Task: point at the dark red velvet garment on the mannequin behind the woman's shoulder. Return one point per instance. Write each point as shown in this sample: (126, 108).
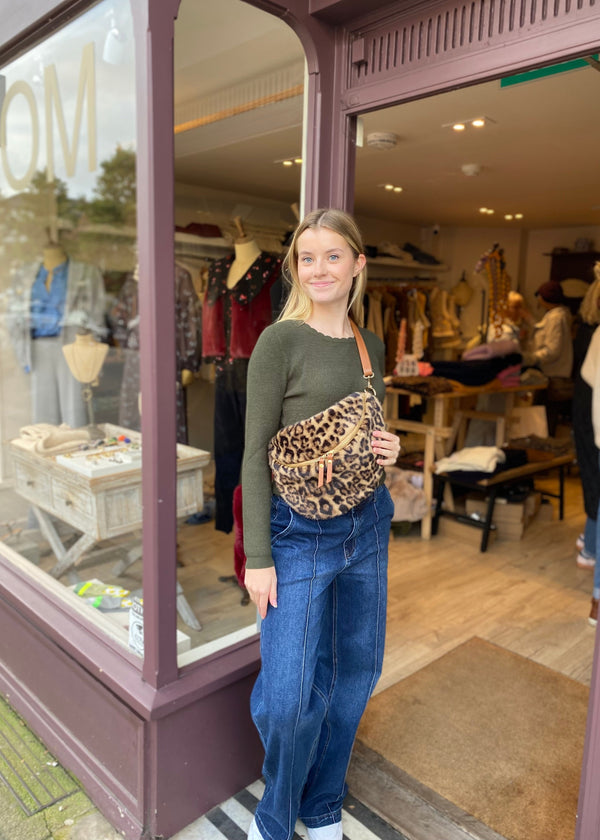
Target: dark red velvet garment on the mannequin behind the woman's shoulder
(239, 314)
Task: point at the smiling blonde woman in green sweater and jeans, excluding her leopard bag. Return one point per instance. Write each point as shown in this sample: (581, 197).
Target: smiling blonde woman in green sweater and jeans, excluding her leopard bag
(319, 585)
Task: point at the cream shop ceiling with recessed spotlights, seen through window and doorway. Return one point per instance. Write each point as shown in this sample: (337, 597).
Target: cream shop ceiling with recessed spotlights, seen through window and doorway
(538, 156)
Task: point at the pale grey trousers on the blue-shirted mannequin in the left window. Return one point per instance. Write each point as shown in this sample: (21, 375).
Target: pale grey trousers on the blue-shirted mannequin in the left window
(56, 396)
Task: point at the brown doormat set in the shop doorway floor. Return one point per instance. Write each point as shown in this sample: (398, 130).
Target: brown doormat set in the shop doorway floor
(494, 733)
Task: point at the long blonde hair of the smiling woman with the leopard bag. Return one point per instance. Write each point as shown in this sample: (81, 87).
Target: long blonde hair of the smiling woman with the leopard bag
(299, 305)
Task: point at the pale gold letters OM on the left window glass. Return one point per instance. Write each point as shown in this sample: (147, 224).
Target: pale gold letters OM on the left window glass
(86, 89)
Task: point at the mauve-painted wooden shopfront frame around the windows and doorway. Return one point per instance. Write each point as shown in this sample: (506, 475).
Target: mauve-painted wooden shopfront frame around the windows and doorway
(156, 744)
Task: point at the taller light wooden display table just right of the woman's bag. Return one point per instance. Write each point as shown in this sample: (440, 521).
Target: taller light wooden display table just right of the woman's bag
(441, 435)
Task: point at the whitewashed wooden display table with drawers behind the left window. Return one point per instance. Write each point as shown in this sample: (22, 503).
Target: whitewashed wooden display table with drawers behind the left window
(101, 506)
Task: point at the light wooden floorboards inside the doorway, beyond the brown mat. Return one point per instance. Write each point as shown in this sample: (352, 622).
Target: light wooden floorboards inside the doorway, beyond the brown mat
(527, 596)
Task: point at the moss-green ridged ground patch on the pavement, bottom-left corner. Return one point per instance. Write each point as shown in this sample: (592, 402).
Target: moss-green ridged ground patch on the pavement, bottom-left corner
(27, 769)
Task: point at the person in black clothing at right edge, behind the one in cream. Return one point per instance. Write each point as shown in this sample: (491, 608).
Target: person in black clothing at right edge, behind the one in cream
(583, 429)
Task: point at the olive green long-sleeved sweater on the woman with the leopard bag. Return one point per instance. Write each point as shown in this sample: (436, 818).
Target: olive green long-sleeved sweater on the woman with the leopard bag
(294, 372)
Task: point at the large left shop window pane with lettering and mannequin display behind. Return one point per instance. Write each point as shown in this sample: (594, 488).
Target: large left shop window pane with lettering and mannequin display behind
(70, 466)
